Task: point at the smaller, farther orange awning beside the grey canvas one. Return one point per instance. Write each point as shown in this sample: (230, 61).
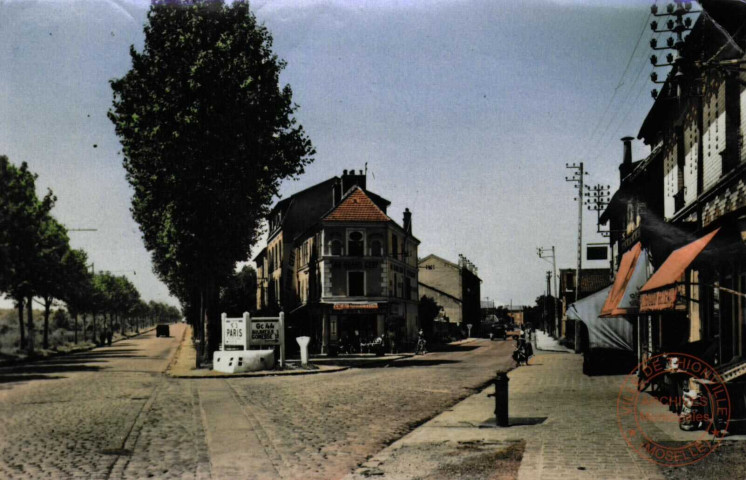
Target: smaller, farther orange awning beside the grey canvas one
(631, 276)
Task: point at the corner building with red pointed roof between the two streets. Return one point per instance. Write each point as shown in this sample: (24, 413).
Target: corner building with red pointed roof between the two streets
(349, 272)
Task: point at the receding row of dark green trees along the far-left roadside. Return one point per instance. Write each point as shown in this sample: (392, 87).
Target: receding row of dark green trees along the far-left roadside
(37, 262)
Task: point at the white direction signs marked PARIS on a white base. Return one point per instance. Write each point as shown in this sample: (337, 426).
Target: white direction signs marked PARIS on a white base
(241, 338)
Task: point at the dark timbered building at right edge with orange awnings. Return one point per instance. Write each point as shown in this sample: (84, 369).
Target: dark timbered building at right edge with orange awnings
(693, 188)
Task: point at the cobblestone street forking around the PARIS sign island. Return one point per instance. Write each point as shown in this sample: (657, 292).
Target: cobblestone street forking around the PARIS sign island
(111, 413)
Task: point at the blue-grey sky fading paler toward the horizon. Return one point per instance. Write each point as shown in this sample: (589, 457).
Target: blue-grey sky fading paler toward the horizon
(465, 111)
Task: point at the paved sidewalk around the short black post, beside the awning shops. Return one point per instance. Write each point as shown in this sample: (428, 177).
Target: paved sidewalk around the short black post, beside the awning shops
(565, 423)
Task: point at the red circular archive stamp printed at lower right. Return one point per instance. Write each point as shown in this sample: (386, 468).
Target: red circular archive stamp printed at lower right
(673, 409)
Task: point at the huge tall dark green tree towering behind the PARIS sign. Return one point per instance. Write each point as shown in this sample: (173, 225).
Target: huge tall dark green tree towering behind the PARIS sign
(207, 136)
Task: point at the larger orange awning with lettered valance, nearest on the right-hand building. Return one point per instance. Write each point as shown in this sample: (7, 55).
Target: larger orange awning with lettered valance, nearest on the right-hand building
(662, 290)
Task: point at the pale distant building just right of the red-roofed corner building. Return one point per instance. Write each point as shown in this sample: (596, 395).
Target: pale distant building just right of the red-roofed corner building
(454, 286)
